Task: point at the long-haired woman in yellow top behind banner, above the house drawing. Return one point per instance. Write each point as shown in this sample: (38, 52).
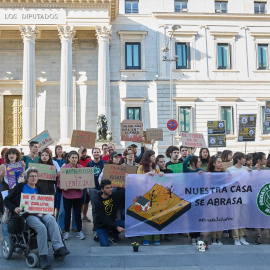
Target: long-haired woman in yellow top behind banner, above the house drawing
(148, 166)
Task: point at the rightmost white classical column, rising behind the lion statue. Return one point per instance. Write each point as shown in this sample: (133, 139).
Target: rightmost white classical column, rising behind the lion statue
(104, 34)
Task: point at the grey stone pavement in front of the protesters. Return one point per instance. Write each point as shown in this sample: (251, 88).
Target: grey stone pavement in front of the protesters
(178, 254)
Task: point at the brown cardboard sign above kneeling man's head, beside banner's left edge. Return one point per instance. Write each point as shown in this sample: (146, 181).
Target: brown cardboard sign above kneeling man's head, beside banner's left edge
(117, 173)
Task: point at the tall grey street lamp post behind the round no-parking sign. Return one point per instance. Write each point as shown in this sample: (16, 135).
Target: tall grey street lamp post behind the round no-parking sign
(171, 60)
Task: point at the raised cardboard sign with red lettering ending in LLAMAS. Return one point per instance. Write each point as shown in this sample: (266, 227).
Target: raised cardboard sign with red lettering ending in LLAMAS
(131, 130)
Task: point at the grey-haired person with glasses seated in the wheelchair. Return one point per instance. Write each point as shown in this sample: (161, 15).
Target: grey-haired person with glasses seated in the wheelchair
(39, 223)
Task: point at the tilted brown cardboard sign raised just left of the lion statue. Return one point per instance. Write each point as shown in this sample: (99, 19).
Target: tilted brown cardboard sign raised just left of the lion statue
(83, 138)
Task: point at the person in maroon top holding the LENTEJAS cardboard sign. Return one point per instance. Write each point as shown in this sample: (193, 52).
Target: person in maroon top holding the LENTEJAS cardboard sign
(72, 198)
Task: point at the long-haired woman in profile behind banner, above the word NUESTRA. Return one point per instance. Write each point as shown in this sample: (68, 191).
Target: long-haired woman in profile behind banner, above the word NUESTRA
(215, 165)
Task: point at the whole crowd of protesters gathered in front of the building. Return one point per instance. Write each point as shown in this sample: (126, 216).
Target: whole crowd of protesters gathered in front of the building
(107, 202)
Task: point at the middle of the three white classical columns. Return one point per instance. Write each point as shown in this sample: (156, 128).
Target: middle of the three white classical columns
(66, 33)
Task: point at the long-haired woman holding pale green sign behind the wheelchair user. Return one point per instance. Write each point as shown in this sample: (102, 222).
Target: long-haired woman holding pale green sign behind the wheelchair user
(48, 186)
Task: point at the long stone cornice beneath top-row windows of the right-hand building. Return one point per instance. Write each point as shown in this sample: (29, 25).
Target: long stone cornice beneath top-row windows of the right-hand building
(214, 16)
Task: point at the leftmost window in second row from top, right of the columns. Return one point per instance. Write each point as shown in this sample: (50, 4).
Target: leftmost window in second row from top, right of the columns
(133, 55)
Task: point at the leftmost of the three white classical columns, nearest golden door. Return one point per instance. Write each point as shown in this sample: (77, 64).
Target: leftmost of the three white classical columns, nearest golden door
(28, 33)
